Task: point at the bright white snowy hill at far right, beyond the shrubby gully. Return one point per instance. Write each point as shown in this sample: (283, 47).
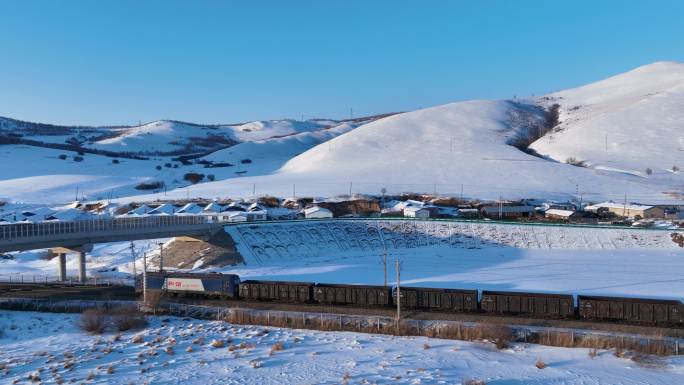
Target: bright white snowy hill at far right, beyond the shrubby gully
(629, 123)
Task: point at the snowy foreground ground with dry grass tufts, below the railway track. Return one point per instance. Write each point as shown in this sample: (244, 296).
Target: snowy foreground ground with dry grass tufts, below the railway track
(51, 347)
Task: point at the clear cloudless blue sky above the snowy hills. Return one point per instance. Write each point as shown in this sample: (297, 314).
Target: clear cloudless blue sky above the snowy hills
(117, 62)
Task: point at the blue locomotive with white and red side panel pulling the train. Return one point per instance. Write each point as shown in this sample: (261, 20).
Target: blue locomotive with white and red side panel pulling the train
(204, 284)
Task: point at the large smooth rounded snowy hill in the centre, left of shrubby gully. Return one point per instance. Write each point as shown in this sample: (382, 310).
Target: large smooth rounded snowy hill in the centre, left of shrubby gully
(452, 149)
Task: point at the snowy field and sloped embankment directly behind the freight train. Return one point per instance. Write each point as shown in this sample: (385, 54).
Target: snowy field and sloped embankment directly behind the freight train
(466, 255)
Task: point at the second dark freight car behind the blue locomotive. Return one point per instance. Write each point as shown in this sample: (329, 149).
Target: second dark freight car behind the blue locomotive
(358, 295)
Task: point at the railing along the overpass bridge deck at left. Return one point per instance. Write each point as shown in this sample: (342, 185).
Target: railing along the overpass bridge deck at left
(43, 229)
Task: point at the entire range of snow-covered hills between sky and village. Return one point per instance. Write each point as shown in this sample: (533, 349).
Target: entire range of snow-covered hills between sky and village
(627, 130)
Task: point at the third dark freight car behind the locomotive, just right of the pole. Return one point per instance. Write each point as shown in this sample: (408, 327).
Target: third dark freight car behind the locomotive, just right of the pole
(425, 298)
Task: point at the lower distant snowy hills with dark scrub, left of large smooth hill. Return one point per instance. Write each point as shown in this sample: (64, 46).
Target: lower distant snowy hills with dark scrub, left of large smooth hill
(44, 175)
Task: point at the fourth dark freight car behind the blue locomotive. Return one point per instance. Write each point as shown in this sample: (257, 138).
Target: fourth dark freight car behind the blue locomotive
(538, 304)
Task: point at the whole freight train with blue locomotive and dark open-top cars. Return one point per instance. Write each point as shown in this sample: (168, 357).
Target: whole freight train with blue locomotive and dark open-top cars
(538, 305)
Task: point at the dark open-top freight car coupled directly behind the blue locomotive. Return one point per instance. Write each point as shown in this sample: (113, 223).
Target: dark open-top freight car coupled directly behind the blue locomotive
(295, 292)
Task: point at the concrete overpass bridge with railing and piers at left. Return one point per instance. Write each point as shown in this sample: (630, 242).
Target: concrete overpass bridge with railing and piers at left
(79, 236)
